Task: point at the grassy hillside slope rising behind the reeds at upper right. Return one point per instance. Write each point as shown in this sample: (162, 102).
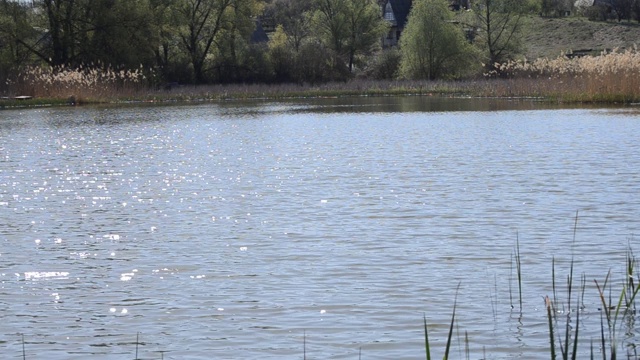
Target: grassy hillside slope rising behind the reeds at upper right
(548, 37)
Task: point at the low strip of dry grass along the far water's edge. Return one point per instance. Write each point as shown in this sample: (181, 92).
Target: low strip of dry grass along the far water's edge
(515, 88)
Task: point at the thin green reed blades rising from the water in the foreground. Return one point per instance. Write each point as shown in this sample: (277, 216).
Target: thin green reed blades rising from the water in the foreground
(564, 318)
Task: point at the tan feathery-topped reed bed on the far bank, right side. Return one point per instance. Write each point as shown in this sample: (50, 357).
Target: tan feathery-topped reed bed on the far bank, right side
(611, 77)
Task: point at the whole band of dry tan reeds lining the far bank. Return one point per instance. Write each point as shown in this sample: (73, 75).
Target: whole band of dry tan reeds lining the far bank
(610, 77)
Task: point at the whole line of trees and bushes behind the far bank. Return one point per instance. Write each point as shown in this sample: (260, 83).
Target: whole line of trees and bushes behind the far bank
(210, 41)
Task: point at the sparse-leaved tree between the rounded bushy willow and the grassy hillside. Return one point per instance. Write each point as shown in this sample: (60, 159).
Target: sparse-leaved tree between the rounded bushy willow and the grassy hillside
(499, 24)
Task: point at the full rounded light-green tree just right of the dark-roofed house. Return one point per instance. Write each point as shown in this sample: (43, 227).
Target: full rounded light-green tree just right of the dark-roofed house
(431, 45)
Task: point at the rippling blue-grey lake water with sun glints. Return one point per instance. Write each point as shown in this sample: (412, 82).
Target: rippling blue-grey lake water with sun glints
(318, 229)
